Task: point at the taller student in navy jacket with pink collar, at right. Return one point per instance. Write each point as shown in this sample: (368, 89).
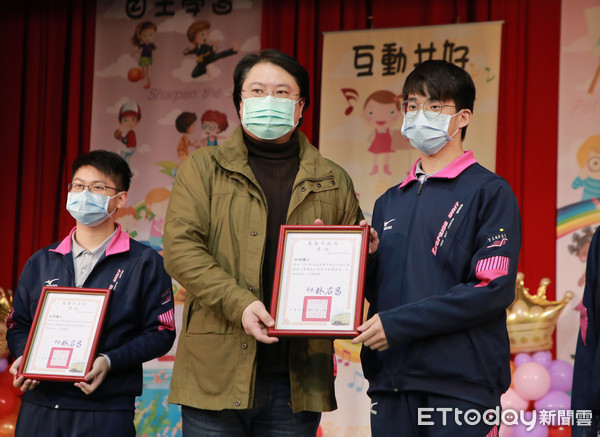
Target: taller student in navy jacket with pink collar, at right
(435, 344)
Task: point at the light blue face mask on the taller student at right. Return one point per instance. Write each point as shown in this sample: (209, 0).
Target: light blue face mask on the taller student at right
(427, 135)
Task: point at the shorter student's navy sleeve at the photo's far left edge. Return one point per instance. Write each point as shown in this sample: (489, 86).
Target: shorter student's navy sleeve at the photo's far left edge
(20, 319)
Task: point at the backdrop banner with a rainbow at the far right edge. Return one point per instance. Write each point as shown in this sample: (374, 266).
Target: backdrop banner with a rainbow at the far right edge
(578, 183)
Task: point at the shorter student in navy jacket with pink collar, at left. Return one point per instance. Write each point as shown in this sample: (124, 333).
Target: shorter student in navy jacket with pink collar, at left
(139, 324)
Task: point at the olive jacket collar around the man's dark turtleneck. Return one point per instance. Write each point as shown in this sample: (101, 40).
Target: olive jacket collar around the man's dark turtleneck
(233, 155)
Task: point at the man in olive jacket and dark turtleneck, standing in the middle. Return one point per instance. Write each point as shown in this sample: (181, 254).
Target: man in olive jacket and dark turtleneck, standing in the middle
(221, 236)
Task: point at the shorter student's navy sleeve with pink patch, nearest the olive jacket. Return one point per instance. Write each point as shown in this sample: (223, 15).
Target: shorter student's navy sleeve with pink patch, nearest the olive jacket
(156, 311)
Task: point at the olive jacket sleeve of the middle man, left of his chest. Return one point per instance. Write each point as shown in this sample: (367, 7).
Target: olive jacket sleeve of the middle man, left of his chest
(186, 236)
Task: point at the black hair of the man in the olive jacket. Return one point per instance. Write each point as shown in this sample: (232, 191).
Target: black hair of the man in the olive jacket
(276, 57)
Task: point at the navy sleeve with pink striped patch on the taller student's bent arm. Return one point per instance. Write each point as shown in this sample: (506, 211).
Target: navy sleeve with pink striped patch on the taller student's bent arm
(486, 290)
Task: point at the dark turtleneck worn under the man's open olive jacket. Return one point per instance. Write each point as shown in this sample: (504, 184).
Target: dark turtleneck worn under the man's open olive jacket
(275, 167)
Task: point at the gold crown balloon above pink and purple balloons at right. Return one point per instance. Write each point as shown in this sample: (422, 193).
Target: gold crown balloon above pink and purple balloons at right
(531, 318)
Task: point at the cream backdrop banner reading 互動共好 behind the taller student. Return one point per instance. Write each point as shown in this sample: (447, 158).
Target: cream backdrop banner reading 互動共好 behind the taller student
(363, 74)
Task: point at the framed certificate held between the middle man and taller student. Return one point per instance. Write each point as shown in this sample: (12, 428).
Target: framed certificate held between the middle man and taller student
(319, 281)
